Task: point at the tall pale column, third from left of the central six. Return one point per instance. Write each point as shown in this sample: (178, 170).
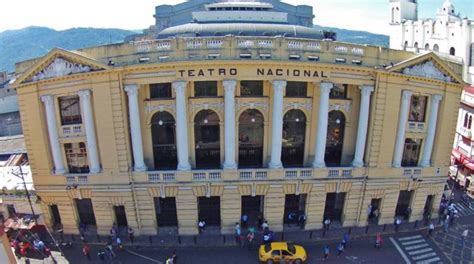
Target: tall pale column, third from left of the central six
(229, 124)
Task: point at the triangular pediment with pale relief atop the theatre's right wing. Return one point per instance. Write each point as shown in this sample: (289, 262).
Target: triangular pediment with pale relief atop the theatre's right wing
(427, 66)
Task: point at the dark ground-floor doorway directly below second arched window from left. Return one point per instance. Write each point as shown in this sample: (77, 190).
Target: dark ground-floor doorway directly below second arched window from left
(209, 210)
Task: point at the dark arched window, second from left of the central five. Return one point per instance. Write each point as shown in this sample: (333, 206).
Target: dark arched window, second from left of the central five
(206, 139)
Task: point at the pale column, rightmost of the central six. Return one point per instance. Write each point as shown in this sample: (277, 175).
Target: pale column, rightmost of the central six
(365, 92)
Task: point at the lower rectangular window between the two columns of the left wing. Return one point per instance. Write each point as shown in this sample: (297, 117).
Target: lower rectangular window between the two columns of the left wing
(76, 156)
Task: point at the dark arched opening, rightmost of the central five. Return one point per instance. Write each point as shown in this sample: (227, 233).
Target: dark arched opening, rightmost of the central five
(335, 138)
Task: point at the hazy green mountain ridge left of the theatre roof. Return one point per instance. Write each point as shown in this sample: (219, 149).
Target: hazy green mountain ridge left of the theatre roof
(32, 42)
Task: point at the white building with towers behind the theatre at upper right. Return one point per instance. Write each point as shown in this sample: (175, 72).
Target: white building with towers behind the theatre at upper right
(448, 34)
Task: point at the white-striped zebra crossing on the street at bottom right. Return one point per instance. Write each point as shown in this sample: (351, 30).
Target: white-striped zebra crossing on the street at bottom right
(418, 250)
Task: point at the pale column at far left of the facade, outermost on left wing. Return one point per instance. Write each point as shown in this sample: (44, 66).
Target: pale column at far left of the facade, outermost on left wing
(48, 101)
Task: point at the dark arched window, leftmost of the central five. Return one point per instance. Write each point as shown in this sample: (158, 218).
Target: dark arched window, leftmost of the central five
(163, 137)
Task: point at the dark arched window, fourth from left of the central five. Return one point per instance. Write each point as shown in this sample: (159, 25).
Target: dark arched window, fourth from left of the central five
(294, 130)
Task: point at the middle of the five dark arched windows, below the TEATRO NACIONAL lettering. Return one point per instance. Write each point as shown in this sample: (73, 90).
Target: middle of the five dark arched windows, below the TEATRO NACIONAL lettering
(251, 139)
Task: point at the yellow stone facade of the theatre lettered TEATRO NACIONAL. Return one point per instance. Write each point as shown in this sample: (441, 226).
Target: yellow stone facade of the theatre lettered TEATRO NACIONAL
(113, 67)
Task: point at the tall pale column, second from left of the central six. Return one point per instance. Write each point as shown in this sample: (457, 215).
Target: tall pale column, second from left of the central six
(181, 125)
